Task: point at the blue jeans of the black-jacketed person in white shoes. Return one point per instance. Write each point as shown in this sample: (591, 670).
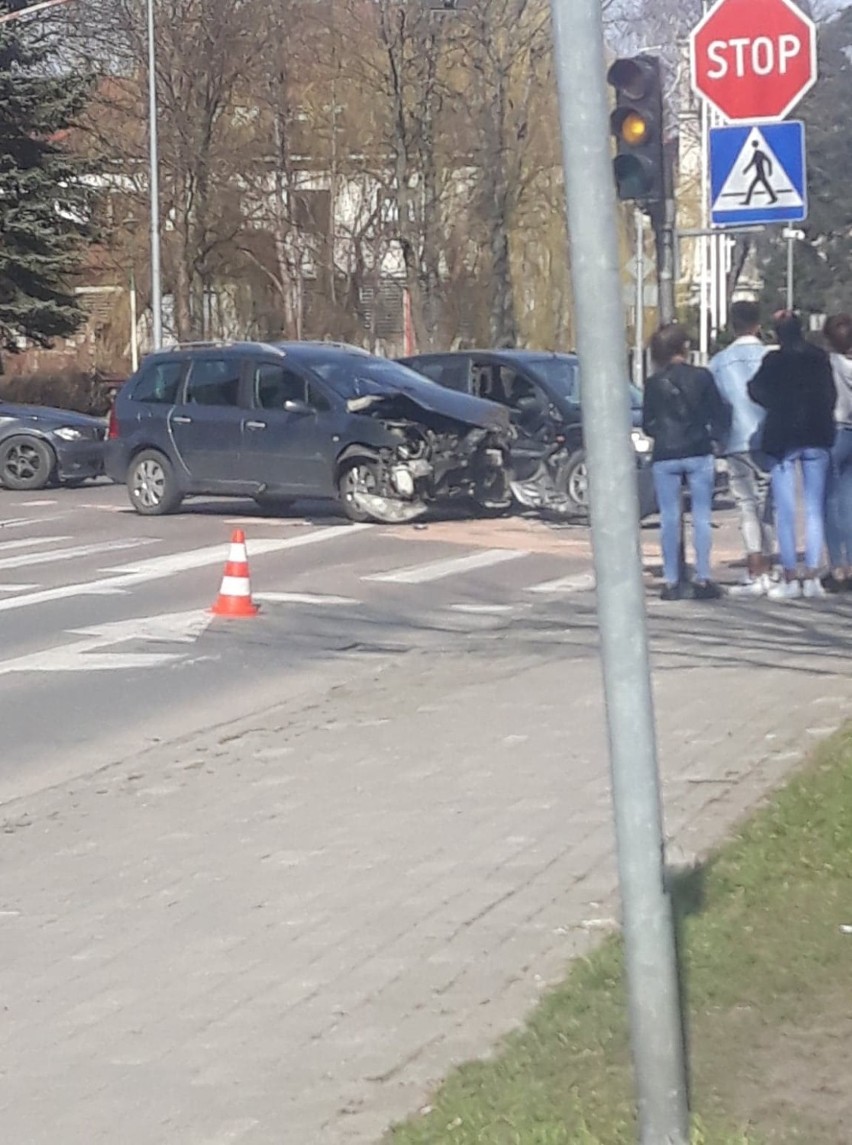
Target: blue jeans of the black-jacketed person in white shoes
(815, 471)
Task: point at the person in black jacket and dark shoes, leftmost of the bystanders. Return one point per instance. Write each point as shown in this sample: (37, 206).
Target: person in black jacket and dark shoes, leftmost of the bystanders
(688, 418)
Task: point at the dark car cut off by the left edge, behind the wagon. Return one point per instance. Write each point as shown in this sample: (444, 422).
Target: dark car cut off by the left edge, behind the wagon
(41, 447)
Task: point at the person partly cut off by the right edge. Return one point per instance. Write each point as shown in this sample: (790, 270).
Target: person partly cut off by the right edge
(839, 499)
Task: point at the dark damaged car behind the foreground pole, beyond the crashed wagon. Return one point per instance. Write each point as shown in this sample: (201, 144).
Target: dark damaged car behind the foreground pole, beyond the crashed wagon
(542, 392)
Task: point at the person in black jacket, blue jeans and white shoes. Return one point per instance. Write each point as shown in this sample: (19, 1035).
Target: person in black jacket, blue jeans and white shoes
(796, 388)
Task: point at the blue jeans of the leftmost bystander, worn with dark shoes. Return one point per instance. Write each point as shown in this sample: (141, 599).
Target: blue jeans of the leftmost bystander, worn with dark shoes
(700, 473)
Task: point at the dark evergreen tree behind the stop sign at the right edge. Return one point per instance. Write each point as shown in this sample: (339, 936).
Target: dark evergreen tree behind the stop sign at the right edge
(824, 262)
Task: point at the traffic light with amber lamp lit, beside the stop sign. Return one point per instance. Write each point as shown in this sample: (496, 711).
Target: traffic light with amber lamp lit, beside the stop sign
(637, 124)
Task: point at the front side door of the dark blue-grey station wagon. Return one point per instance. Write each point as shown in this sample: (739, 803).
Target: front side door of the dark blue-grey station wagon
(289, 432)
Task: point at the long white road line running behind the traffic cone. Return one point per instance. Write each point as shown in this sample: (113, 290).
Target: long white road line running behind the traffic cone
(157, 568)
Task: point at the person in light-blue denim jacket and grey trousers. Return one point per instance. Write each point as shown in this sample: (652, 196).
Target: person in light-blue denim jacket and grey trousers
(748, 467)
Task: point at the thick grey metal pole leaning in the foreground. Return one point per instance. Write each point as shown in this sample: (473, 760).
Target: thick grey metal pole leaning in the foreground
(649, 929)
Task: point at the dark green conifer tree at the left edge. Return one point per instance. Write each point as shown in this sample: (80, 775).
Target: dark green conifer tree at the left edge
(45, 204)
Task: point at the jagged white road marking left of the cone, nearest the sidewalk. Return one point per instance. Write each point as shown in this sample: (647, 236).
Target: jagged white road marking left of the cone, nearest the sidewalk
(86, 656)
